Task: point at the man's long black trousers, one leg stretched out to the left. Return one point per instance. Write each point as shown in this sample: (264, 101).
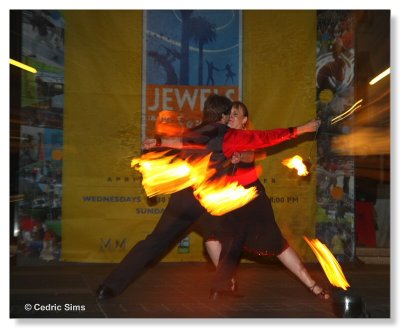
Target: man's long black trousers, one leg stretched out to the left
(182, 211)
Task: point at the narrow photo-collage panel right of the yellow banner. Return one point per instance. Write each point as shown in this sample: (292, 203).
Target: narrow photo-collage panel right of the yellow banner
(335, 95)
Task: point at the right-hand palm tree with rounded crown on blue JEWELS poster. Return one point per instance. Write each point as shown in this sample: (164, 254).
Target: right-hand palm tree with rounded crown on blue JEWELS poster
(203, 32)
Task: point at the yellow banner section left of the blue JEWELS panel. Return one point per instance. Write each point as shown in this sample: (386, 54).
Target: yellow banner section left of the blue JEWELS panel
(105, 210)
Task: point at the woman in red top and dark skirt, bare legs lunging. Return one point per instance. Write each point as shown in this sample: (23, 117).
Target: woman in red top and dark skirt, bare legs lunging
(253, 226)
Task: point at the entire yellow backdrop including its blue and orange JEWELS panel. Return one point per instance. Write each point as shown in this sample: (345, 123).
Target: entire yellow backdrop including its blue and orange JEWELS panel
(109, 94)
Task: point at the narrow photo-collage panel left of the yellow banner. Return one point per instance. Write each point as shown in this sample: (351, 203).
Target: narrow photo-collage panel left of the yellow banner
(38, 213)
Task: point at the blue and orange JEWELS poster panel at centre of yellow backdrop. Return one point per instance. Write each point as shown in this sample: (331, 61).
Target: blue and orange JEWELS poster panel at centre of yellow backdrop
(188, 55)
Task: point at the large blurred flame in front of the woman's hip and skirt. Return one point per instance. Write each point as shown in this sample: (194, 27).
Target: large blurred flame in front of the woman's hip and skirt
(219, 198)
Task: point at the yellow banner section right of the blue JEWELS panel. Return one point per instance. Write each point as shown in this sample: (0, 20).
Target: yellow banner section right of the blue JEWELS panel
(279, 90)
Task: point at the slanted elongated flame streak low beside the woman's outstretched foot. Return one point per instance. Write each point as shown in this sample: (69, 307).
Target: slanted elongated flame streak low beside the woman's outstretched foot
(329, 263)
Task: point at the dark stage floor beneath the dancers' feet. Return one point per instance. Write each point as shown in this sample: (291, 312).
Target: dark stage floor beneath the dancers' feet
(180, 290)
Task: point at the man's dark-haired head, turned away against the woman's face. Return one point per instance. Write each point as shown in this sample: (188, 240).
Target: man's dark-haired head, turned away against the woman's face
(216, 108)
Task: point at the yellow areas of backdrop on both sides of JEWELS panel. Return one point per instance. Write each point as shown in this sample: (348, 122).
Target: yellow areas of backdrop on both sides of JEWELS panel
(105, 211)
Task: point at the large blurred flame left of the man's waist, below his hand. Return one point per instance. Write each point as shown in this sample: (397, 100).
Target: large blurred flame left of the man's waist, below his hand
(168, 174)
